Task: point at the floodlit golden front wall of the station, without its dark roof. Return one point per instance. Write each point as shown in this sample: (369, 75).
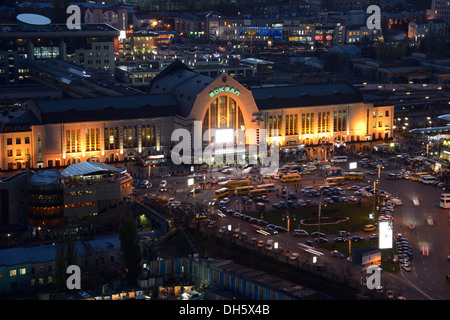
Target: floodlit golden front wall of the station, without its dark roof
(62, 144)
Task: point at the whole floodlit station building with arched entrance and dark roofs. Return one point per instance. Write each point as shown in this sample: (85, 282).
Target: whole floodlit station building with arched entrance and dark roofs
(55, 133)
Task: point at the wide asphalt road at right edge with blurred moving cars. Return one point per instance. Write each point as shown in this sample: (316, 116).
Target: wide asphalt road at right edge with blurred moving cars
(430, 244)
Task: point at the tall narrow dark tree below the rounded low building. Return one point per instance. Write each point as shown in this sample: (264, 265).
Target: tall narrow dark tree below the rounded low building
(129, 246)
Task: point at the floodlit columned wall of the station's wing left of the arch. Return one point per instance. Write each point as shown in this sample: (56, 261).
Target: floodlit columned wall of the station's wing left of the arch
(69, 143)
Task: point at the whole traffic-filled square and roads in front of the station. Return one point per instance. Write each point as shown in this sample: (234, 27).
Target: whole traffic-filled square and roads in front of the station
(319, 213)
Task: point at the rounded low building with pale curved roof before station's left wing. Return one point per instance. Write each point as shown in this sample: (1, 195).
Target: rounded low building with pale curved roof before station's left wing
(81, 190)
